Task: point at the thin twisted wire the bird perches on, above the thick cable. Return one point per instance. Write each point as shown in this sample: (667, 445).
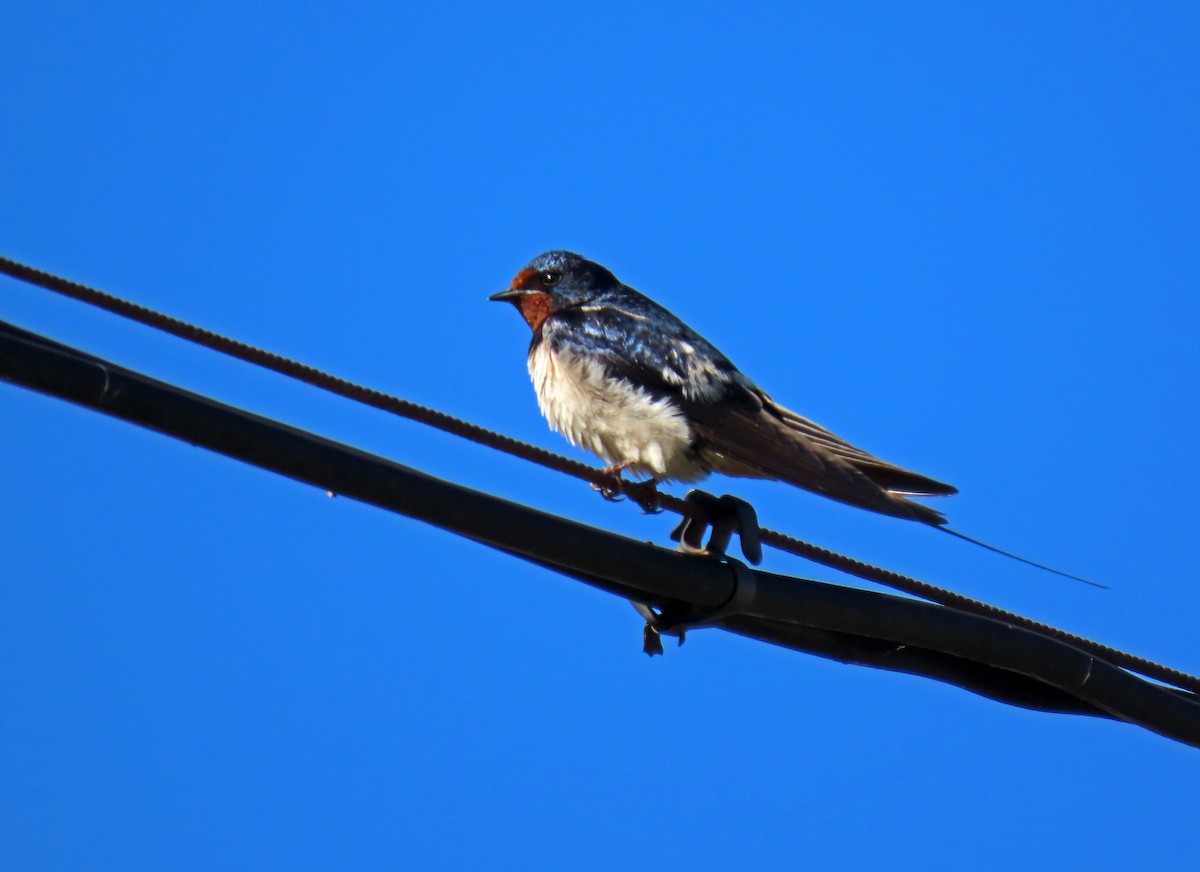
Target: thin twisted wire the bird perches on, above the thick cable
(599, 478)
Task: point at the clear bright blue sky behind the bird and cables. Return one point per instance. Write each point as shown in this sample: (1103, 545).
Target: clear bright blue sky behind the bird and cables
(962, 236)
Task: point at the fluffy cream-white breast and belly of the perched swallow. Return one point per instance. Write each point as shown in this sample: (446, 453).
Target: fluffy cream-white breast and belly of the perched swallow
(611, 418)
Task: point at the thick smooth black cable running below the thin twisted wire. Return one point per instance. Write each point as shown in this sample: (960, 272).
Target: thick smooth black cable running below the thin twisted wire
(986, 657)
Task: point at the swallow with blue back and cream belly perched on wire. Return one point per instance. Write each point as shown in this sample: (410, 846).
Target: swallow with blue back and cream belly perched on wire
(622, 377)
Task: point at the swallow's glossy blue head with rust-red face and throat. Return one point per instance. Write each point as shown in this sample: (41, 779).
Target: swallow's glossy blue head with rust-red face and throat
(555, 281)
